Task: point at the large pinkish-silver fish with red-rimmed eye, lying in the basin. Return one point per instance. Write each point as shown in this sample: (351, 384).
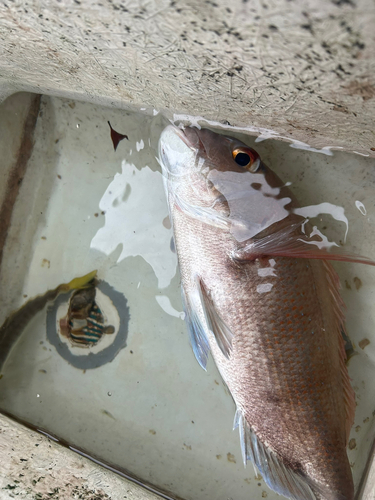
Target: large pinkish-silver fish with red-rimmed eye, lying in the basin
(260, 294)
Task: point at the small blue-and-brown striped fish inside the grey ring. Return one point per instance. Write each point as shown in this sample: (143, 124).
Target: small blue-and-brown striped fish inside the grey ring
(84, 323)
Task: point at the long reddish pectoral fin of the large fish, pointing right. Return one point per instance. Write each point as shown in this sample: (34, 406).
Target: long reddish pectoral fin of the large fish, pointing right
(290, 241)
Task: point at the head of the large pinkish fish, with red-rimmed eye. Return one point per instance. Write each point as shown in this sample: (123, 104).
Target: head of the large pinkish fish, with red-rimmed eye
(225, 177)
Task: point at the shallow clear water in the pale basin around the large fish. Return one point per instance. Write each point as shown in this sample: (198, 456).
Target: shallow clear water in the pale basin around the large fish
(139, 399)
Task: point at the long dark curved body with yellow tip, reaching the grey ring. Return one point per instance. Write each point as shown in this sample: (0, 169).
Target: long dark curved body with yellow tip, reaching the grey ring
(16, 322)
